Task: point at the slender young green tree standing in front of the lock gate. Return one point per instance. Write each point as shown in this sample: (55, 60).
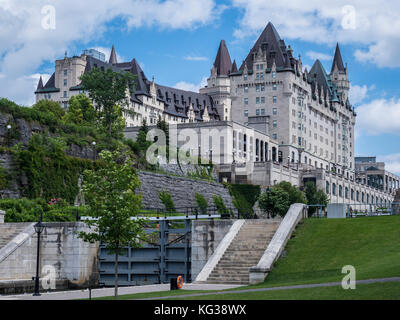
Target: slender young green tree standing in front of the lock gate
(110, 196)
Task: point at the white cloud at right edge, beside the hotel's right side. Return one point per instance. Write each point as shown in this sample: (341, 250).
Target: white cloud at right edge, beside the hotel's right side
(379, 117)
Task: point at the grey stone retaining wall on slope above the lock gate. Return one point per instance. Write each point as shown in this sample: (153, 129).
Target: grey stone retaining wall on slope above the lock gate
(182, 190)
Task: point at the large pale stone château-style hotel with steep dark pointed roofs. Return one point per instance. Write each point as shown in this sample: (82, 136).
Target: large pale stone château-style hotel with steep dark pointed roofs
(276, 120)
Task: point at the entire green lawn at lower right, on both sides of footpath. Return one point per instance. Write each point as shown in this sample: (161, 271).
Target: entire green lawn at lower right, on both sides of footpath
(317, 253)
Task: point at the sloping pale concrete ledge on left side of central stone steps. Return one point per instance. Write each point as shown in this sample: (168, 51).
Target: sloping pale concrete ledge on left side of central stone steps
(219, 252)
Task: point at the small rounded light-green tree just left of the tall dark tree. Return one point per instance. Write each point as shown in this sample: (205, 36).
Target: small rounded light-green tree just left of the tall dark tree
(80, 110)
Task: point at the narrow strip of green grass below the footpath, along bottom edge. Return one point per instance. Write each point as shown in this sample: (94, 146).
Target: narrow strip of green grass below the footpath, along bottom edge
(375, 291)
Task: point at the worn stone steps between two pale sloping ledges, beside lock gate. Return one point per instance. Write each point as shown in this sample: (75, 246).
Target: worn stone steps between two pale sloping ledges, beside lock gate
(244, 252)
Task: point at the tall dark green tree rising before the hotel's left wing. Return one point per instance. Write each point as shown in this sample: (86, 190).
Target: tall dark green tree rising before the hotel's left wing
(108, 89)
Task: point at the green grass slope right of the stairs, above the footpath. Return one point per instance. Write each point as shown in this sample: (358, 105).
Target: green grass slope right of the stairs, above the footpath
(321, 247)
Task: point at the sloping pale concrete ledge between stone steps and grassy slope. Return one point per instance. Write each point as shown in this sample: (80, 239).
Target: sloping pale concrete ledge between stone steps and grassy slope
(295, 214)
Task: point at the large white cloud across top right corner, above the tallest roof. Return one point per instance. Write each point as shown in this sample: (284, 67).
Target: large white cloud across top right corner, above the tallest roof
(376, 24)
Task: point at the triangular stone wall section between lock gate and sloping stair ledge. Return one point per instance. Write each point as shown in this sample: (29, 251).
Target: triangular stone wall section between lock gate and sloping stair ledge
(206, 236)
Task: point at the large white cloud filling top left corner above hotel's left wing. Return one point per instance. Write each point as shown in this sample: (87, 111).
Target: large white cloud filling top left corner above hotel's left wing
(26, 45)
